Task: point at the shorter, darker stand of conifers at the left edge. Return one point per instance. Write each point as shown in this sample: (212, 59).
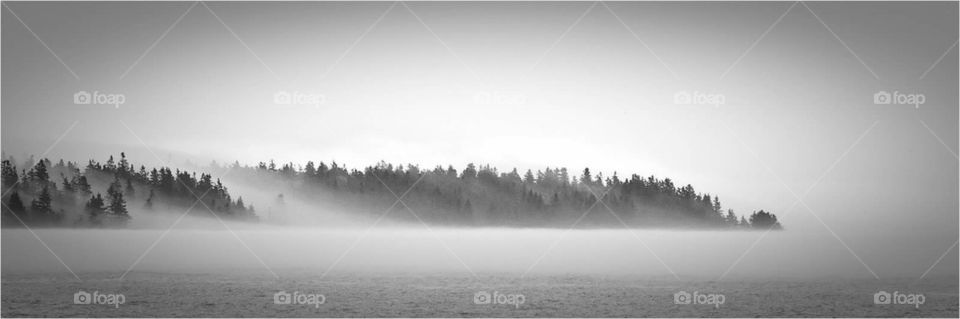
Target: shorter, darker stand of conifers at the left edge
(99, 194)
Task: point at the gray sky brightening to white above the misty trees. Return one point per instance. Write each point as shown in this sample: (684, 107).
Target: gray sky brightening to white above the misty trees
(576, 88)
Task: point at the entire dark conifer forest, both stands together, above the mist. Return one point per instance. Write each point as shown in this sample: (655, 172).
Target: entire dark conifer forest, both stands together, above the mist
(101, 195)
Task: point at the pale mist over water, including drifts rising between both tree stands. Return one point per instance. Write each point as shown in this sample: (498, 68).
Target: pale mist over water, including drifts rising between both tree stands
(313, 237)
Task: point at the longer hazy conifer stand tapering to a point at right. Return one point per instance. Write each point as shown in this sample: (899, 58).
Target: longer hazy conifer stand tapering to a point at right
(484, 196)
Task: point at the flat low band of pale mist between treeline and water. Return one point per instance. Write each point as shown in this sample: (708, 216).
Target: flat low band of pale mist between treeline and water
(689, 254)
